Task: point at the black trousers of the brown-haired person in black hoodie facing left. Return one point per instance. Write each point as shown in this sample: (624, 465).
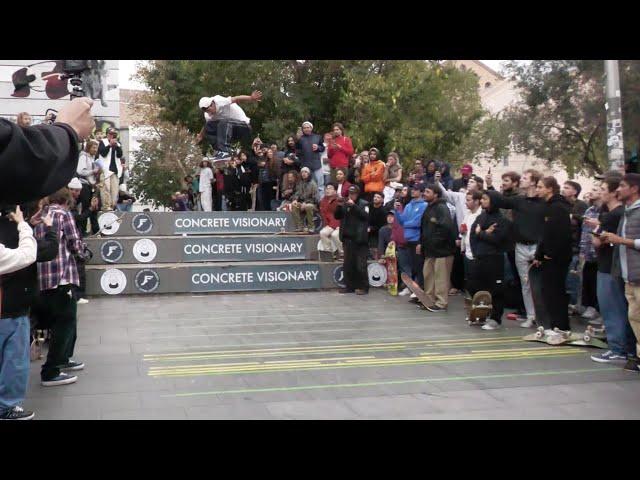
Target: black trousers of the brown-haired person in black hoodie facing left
(549, 293)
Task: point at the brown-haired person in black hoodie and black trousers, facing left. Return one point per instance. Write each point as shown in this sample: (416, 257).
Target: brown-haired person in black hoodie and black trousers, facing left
(552, 259)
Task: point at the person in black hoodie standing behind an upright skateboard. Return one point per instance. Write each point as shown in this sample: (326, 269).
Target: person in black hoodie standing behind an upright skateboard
(488, 237)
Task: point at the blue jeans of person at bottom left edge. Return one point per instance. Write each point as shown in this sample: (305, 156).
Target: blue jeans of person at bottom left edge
(14, 361)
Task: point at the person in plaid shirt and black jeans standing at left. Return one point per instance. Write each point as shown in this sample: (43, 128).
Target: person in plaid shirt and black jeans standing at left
(56, 279)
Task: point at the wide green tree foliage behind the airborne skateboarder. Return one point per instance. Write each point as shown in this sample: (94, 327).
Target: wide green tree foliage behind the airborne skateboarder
(416, 108)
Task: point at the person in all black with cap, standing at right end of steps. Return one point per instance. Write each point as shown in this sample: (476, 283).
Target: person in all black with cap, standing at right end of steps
(354, 216)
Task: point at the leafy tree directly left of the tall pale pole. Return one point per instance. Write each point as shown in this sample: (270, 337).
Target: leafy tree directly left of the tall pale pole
(562, 116)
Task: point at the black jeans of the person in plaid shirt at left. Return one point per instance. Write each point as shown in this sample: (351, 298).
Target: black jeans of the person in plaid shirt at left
(61, 308)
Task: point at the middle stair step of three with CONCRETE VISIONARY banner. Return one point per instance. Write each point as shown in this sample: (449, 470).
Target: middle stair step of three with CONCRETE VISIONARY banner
(190, 249)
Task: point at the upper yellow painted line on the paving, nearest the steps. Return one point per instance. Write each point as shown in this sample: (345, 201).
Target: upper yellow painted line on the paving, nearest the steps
(148, 357)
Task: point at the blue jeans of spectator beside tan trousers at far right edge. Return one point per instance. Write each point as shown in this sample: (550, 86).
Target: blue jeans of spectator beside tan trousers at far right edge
(614, 310)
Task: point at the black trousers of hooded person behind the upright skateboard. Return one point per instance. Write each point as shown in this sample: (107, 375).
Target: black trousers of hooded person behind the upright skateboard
(487, 273)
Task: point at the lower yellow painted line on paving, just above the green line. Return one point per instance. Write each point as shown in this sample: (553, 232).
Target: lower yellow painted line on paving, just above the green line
(220, 369)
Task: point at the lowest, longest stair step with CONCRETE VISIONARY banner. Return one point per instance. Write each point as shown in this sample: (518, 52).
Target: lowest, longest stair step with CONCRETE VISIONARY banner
(129, 279)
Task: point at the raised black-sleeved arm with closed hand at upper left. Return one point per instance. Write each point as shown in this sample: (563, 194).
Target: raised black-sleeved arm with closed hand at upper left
(37, 161)
